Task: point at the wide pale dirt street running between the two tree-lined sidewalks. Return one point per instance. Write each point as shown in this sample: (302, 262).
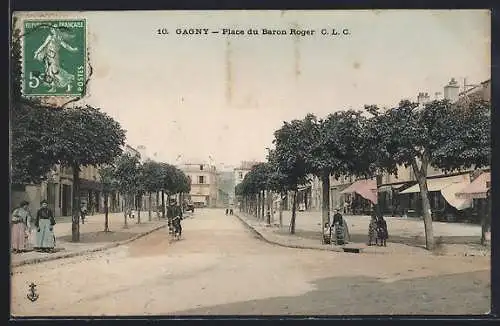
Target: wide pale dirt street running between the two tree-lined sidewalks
(220, 267)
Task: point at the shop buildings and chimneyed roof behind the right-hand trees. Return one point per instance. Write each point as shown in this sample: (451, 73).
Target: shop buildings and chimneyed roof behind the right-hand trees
(399, 194)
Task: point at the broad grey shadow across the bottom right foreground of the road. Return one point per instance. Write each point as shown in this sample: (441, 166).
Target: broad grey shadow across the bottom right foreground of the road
(467, 293)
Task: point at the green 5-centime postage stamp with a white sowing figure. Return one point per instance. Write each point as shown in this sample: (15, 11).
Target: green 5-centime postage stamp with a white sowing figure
(54, 57)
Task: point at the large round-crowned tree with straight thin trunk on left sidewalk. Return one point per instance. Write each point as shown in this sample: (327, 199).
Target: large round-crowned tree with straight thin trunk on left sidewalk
(85, 136)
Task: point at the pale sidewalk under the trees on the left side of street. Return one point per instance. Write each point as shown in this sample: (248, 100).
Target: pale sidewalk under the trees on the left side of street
(92, 237)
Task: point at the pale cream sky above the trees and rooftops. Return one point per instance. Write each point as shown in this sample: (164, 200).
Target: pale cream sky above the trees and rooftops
(224, 96)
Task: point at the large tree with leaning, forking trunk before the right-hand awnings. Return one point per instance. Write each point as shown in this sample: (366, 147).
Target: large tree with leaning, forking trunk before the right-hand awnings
(439, 134)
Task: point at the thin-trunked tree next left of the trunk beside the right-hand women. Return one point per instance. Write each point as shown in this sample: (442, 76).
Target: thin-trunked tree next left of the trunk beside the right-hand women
(291, 152)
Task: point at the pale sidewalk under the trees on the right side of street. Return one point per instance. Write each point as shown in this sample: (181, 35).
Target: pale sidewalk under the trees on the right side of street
(307, 238)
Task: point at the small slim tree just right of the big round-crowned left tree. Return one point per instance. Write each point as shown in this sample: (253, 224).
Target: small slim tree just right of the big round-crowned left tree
(127, 179)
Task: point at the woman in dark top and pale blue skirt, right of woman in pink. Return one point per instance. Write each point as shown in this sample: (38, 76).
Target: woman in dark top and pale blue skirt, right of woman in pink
(44, 222)
